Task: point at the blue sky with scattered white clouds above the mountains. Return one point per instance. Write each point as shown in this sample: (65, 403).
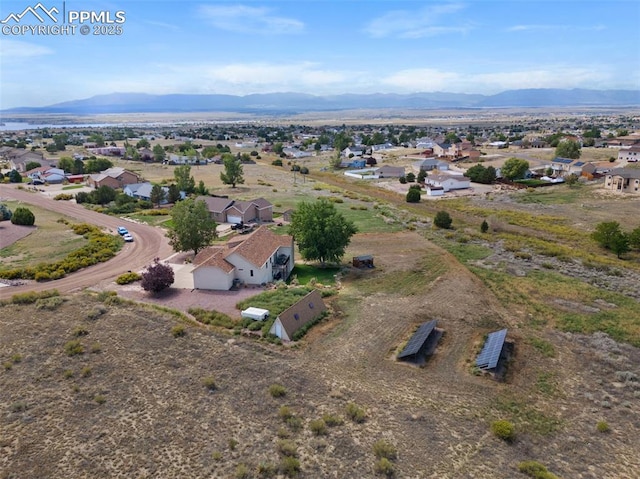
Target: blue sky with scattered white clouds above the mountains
(324, 47)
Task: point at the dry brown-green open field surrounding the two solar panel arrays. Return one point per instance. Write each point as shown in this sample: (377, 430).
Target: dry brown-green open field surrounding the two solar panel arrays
(134, 403)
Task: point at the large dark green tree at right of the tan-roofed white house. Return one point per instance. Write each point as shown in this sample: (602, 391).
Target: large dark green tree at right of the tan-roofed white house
(322, 233)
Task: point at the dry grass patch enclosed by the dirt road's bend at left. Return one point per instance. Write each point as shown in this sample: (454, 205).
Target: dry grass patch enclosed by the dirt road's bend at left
(50, 241)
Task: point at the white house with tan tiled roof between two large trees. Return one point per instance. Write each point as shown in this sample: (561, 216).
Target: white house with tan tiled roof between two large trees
(260, 257)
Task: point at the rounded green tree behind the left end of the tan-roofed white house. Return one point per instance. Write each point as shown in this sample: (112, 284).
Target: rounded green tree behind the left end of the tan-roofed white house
(193, 228)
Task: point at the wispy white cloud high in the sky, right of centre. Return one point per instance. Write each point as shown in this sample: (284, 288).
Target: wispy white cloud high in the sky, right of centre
(426, 22)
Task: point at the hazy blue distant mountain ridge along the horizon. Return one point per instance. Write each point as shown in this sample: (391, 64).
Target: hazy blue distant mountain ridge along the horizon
(288, 102)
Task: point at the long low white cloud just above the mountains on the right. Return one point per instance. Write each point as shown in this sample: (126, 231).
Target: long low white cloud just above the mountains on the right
(426, 79)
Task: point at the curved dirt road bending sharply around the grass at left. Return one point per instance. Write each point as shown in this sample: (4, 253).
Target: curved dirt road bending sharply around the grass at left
(149, 243)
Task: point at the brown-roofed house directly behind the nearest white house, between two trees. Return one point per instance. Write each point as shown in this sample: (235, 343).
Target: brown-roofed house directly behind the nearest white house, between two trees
(225, 210)
